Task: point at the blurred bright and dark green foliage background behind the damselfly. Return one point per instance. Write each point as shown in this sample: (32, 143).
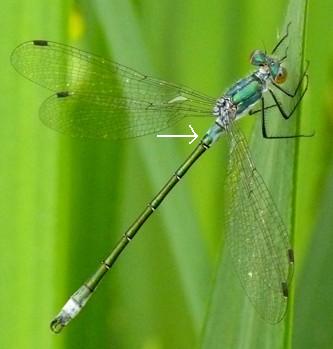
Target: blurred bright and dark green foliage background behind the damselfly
(65, 202)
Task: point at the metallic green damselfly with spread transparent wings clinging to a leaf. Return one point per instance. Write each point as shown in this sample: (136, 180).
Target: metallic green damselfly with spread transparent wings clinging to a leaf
(97, 98)
